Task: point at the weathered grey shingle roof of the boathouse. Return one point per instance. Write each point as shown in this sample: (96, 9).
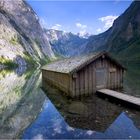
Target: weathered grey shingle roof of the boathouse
(73, 64)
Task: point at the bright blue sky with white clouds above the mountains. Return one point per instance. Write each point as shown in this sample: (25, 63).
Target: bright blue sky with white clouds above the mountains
(93, 17)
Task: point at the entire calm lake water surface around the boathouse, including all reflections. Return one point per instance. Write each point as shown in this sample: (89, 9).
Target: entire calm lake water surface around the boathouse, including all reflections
(28, 112)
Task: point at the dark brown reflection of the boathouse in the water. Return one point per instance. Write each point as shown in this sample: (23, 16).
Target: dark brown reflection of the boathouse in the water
(90, 113)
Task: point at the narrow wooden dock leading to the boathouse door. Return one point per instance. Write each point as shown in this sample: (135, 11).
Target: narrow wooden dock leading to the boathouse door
(120, 96)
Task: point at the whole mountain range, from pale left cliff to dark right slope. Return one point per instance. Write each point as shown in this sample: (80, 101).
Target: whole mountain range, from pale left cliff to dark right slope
(23, 40)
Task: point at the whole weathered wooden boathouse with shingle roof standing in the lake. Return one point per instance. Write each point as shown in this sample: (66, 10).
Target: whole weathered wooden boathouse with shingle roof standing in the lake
(83, 75)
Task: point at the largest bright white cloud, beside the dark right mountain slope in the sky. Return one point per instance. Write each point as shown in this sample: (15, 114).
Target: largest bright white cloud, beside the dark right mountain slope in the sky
(108, 21)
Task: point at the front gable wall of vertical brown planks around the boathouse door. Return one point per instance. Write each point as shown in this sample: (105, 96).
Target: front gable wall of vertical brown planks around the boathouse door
(85, 82)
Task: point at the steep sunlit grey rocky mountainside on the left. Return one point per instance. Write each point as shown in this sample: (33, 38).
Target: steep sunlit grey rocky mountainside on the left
(22, 39)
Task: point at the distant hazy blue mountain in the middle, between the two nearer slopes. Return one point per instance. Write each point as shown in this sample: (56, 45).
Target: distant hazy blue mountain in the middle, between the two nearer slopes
(66, 43)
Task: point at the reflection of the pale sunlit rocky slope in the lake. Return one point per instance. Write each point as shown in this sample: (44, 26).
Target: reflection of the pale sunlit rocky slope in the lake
(20, 101)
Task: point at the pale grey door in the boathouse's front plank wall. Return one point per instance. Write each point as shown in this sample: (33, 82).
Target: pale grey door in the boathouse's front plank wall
(101, 78)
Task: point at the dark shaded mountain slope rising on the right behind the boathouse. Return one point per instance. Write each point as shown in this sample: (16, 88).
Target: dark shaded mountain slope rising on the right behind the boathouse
(123, 39)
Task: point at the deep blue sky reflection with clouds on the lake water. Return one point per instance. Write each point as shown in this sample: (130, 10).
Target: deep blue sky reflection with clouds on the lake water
(50, 124)
